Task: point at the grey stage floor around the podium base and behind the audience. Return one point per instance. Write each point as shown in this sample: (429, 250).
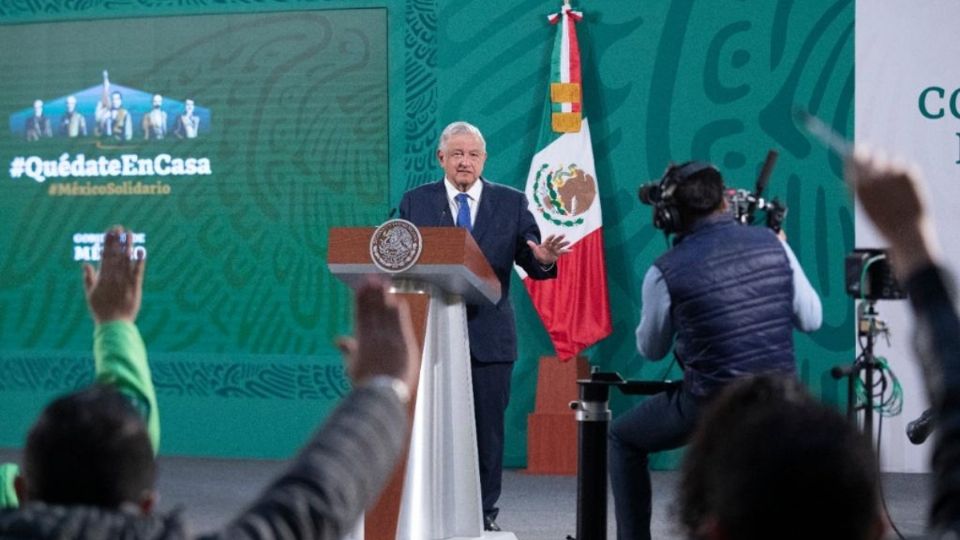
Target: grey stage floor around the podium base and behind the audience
(211, 491)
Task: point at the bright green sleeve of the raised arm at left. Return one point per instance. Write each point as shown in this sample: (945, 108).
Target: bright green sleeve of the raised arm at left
(120, 359)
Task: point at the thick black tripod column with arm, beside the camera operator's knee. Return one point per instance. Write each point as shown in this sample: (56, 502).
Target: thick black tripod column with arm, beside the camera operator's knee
(593, 417)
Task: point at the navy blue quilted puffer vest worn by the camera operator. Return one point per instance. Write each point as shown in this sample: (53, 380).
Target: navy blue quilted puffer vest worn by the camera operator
(731, 297)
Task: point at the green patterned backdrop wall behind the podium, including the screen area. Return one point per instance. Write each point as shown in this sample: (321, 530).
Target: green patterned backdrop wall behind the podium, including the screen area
(323, 113)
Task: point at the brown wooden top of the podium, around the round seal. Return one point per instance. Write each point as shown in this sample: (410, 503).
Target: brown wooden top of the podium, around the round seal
(450, 260)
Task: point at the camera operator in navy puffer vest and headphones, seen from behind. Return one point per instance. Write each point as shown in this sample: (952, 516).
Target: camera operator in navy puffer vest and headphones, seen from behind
(727, 297)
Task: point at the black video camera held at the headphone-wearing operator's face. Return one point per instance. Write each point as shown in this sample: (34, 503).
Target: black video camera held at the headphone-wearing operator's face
(742, 204)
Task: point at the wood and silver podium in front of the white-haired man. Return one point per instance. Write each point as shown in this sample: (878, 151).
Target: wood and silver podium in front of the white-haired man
(434, 492)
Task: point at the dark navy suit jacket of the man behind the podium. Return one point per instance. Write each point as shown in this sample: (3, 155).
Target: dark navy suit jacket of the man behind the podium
(502, 227)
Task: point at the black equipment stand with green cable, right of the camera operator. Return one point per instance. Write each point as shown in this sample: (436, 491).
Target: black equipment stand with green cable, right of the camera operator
(869, 326)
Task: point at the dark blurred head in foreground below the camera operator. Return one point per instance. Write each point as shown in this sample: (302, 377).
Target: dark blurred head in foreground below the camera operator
(768, 461)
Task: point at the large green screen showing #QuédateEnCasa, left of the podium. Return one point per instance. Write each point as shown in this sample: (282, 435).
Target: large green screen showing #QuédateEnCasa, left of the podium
(229, 144)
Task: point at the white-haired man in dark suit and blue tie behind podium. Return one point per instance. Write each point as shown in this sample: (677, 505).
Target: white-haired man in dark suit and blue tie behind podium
(499, 220)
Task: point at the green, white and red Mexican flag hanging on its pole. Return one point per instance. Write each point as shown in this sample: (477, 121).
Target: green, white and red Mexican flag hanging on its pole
(563, 195)
